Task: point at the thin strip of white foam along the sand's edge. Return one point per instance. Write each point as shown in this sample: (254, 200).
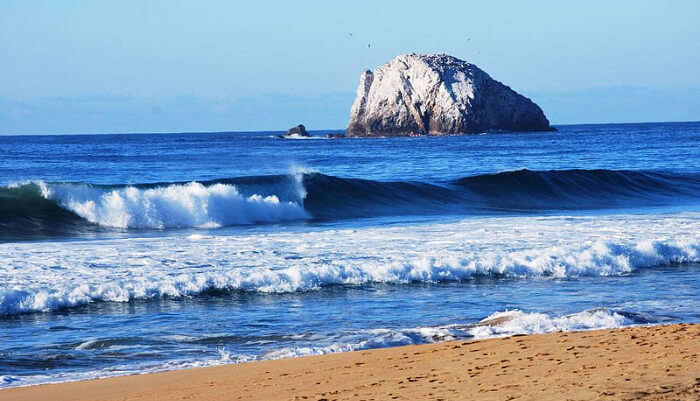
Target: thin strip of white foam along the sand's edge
(508, 323)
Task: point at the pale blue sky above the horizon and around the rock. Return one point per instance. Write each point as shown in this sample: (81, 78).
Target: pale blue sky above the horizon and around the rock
(171, 66)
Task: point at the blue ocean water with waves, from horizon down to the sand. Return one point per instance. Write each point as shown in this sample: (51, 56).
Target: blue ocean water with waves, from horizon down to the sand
(125, 254)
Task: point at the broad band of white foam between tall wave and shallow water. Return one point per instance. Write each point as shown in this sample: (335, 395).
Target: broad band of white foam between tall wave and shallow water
(48, 276)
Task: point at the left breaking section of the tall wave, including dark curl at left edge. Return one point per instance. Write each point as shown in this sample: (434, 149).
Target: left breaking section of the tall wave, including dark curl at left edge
(38, 208)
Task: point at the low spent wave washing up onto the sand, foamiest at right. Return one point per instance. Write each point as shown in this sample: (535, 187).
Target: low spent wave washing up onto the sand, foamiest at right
(499, 324)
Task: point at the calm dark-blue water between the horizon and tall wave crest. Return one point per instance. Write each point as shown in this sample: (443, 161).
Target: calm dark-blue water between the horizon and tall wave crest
(132, 159)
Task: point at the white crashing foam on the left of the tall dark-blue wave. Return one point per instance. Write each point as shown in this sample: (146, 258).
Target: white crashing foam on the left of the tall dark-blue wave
(177, 205)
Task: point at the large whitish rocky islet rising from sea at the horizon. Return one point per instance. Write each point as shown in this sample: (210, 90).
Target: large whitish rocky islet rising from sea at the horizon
(437, 94)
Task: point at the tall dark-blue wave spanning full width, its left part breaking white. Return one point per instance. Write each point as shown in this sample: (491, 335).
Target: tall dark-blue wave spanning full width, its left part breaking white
(48, 209)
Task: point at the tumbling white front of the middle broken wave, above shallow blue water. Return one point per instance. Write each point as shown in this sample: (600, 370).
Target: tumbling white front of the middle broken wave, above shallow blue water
(89, 281)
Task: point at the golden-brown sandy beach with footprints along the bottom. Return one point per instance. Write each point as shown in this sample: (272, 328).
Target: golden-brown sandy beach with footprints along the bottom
(639, 363)
